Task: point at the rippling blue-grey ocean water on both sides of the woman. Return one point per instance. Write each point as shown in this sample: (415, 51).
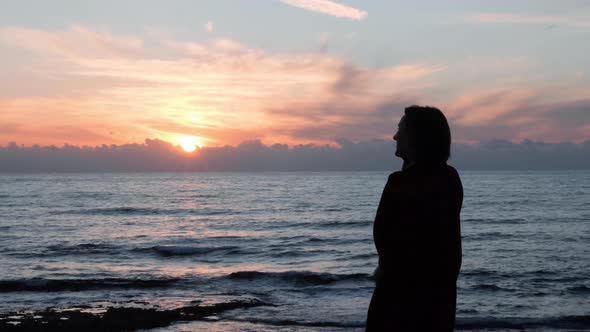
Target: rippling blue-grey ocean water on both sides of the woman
(299, 242)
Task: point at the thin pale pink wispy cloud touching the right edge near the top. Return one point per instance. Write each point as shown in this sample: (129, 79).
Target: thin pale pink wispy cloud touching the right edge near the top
(583, 22)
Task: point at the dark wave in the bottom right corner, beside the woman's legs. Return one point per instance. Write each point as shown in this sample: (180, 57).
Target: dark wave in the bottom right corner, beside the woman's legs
(520, 323)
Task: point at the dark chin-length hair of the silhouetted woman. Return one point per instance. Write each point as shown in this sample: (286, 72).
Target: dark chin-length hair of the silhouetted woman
(429, 132)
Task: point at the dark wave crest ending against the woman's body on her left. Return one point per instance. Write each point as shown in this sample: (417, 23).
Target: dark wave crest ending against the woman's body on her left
(300, 277)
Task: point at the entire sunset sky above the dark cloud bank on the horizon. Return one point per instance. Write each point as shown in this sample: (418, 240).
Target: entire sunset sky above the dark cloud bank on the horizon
(221, 72)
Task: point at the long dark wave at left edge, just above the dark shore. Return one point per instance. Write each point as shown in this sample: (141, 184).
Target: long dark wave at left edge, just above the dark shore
(59, 285)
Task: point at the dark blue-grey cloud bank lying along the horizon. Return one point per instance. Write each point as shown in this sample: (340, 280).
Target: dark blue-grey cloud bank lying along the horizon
(156, 155)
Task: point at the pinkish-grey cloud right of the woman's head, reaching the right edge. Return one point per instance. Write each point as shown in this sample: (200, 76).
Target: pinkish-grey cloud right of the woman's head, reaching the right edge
(517, 114)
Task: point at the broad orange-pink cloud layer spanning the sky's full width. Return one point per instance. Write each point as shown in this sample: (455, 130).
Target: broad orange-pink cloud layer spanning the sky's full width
(94, 87)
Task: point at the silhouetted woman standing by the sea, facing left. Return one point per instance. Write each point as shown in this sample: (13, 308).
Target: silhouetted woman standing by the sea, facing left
(417, 231)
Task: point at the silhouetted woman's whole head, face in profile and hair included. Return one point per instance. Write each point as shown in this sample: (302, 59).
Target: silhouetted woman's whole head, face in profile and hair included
(423, 136)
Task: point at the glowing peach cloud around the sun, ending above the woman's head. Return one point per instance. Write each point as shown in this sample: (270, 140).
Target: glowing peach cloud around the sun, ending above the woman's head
(214, 90)
